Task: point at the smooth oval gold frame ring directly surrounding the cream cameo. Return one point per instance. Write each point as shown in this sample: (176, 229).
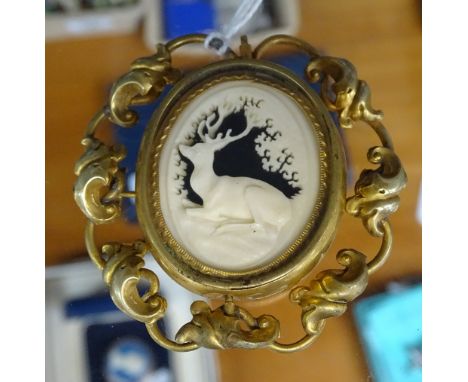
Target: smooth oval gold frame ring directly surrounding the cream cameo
(305, 252)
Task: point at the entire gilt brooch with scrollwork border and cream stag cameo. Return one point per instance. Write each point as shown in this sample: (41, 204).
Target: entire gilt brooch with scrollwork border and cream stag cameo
(240, 185)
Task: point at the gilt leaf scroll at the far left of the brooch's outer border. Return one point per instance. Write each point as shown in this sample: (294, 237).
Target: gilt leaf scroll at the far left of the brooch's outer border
(100, 181)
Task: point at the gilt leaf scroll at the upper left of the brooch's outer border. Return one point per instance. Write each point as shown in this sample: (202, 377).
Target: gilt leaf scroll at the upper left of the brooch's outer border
(143, 84)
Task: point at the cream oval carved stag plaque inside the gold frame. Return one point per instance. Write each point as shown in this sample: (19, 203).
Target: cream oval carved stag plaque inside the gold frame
(239, 175)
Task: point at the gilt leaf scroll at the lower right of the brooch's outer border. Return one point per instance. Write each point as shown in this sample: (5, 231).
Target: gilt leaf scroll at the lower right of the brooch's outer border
(329, 293)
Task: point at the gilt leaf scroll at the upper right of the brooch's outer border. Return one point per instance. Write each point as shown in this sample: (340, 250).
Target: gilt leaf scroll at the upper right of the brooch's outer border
(351, 96)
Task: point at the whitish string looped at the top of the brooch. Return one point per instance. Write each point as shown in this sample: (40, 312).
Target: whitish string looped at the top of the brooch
(221, 41)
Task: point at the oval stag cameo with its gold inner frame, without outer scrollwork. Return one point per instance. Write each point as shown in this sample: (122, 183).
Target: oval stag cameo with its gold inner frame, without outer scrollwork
(240, 180)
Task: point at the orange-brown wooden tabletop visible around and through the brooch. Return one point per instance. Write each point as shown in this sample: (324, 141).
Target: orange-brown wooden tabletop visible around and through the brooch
(383, 40)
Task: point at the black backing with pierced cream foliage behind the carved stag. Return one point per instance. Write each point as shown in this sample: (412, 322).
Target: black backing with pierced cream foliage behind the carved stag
(250, 156)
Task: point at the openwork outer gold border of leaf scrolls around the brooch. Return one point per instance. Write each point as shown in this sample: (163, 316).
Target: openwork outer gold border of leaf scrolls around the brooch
(99, 190)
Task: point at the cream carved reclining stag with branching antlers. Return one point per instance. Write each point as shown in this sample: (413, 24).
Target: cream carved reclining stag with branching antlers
(231, 202)
